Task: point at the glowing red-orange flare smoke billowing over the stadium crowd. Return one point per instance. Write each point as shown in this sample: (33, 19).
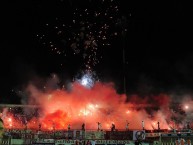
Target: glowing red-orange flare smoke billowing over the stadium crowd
(100, 103)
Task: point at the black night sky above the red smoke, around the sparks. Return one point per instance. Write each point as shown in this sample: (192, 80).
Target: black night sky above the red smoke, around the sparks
(156, 37)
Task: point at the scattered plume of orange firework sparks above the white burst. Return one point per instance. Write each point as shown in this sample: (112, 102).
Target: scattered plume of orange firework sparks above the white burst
(89, 30)
